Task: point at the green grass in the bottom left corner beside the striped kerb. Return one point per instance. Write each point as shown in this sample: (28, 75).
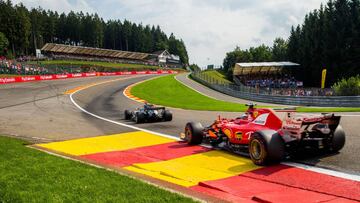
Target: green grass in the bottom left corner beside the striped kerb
(29, 175)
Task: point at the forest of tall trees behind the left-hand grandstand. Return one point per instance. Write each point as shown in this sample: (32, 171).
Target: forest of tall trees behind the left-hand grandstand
(23, 31)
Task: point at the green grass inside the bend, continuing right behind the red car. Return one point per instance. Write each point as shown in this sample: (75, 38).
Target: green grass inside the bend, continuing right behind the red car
(169, 92)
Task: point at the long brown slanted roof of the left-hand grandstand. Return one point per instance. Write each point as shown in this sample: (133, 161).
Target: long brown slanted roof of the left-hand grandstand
(62, 49)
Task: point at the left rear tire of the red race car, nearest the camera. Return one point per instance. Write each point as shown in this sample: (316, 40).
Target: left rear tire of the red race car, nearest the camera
(266, 147)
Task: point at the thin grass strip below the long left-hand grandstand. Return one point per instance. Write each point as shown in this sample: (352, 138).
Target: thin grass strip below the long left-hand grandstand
(94, 63)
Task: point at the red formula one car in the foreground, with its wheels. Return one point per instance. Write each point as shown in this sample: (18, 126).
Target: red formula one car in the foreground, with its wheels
(266, 137)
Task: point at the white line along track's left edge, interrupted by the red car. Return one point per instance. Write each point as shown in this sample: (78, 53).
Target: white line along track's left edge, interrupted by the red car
(297, 165)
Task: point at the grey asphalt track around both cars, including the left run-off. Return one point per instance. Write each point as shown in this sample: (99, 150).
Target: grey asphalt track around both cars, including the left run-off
(40, 112)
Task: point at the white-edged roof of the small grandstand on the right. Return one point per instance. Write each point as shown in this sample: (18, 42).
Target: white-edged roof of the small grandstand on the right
(241, 69)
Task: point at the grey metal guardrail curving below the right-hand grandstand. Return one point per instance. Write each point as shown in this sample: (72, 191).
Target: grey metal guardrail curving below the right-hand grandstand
(321, 101)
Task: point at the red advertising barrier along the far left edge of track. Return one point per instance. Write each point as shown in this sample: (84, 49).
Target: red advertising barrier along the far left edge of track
(77, 75)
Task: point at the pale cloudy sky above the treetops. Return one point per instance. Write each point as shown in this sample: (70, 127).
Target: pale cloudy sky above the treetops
(209, 28)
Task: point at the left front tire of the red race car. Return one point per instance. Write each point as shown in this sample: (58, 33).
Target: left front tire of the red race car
(194, 133)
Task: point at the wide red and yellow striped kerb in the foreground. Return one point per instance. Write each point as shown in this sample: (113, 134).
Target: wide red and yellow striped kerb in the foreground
(208, 171)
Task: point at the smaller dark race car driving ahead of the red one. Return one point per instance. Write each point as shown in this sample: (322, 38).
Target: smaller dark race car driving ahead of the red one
(148, 113)
